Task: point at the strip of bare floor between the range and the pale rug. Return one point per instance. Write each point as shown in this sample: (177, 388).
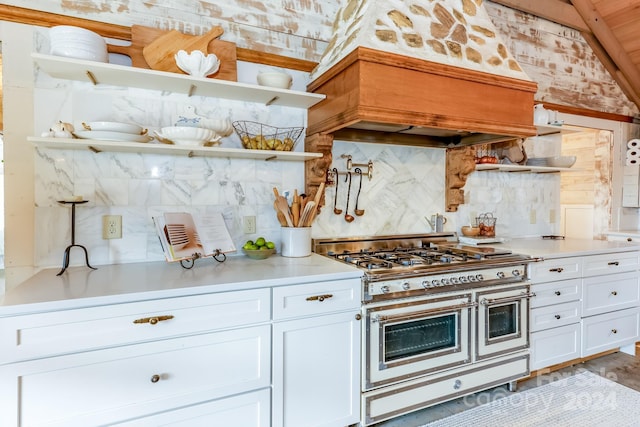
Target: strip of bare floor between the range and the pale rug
(620, 367)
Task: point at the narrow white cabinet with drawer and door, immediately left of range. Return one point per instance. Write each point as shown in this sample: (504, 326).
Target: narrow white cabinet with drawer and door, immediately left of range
(316, 354)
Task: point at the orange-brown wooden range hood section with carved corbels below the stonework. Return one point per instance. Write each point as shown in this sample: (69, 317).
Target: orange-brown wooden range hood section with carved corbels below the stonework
(376, 96)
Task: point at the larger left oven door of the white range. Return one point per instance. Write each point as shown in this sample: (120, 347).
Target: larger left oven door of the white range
(404, 340)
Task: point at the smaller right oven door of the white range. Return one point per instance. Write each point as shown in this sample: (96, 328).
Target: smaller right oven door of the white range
(503, 321)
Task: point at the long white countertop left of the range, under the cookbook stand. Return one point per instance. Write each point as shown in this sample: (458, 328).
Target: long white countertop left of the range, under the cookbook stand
(118, 283)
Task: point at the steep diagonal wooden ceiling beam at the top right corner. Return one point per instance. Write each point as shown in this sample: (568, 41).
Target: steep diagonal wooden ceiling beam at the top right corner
(627, 71)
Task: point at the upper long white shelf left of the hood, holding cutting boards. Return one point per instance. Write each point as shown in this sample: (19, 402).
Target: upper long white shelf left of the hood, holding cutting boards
(119, 75)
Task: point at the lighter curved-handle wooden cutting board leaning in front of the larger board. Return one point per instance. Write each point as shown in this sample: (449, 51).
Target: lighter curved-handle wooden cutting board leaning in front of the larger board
(159, 54)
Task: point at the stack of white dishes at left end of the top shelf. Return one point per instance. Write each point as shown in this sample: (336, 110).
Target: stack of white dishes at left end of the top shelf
(77, 42)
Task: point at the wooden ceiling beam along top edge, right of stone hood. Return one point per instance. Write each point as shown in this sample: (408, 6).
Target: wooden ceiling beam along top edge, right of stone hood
(557, 11)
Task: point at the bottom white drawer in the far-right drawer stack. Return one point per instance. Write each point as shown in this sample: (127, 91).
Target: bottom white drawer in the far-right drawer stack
(611, 330)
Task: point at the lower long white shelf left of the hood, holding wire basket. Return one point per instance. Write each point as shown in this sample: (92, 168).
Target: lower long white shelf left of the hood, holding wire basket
(159, 148)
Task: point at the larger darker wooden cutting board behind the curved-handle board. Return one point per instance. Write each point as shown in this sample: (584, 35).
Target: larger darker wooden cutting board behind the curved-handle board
(142, 36)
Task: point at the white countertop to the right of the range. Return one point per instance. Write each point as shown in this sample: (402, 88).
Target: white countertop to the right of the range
(549, 248)
